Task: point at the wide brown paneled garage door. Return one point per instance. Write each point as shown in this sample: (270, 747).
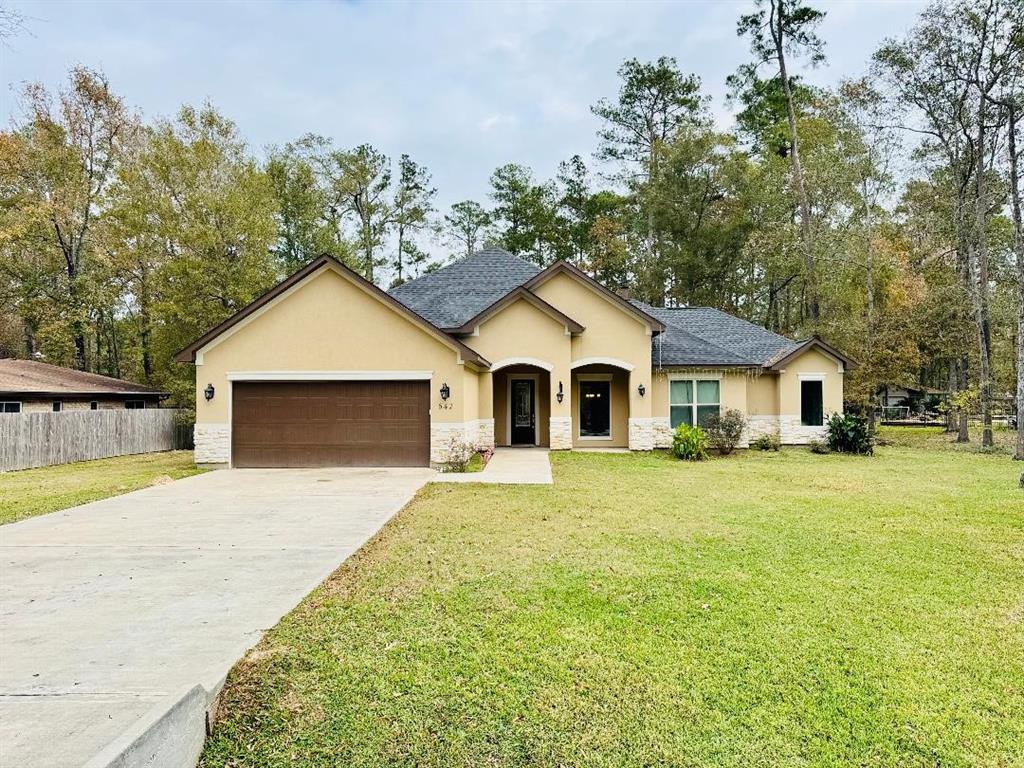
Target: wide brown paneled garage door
(331, 424)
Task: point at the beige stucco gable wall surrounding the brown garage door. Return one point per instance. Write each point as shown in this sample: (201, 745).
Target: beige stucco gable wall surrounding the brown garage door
(329, 324)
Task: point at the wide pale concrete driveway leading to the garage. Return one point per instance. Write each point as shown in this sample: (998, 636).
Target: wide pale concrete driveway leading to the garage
(109, 612)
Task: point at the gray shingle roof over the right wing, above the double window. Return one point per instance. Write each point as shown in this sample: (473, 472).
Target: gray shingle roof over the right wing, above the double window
(702, 336)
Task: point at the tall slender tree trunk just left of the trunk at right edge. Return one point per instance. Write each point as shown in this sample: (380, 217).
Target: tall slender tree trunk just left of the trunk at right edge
(980, 293)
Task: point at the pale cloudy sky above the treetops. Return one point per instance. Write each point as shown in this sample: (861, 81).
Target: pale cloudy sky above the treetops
(462, 88)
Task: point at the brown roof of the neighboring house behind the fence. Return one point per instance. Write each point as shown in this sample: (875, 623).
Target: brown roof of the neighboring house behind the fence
(27, 378)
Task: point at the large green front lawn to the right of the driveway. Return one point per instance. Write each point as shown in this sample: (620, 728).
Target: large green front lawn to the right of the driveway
(763, 610)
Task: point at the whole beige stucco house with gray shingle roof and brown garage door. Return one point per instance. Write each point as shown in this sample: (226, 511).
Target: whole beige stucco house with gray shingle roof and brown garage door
(328, 370)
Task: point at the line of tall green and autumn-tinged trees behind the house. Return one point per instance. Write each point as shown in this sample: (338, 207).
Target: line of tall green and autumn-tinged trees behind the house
(883, 215)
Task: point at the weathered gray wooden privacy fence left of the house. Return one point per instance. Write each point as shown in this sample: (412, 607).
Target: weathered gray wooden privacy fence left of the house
(40, 440)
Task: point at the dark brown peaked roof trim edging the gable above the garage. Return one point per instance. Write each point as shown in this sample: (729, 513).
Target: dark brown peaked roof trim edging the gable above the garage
(189, 355)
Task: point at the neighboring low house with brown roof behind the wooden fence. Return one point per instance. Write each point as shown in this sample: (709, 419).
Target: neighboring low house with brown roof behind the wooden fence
(29, 387)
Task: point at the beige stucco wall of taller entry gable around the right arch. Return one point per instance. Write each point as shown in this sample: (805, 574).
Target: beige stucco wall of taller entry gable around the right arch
(611, 332)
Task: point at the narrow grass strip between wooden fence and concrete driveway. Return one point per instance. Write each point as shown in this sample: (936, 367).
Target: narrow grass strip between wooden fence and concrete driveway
(35, 492)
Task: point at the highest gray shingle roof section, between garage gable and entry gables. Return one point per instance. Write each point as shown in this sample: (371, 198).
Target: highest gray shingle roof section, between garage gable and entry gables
(460, 291)
